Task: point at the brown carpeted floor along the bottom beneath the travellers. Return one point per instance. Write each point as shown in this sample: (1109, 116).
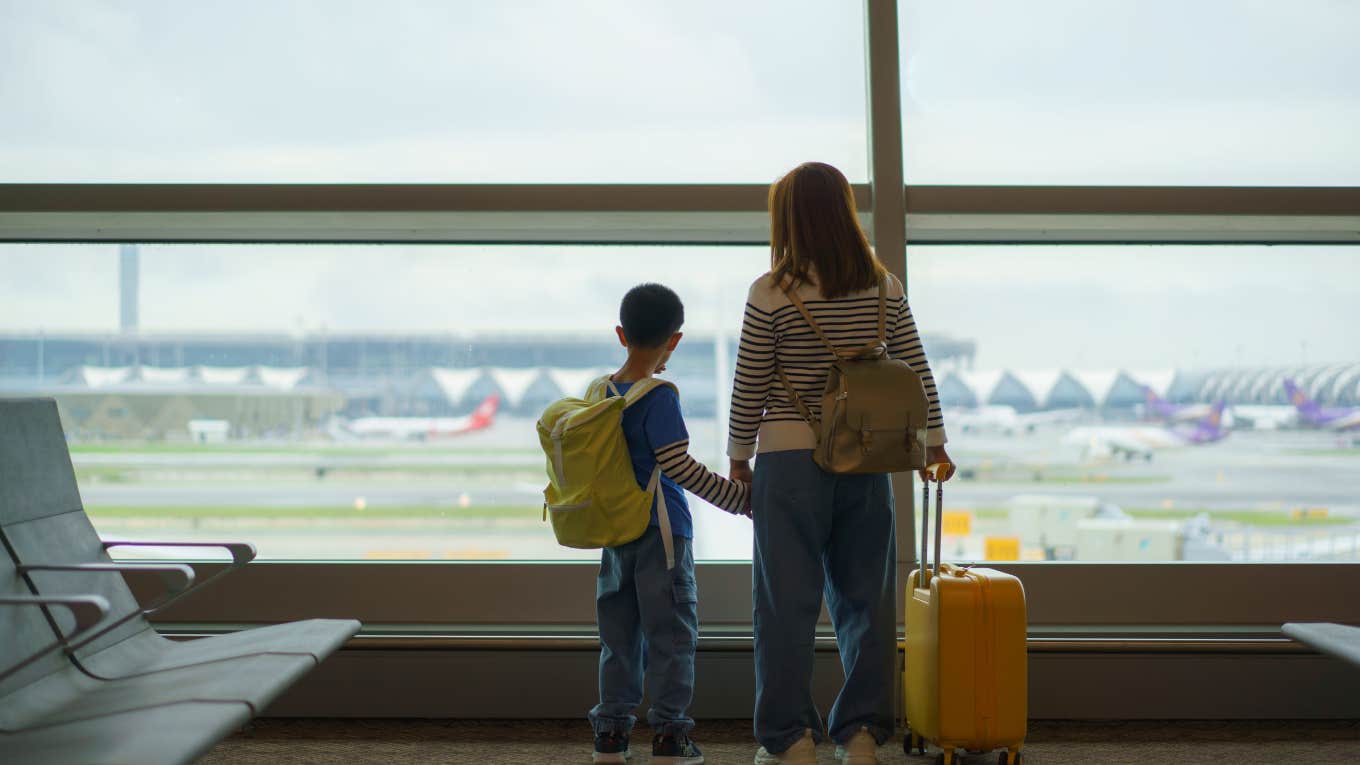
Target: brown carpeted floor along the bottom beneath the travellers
(512, 743)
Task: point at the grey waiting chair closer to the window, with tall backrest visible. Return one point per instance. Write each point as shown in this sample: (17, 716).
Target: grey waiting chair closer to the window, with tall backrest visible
(58, 549)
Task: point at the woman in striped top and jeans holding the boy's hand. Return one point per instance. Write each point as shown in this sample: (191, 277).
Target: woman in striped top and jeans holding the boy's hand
(815, 530)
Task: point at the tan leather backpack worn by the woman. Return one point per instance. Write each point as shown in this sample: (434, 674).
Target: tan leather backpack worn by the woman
(874, 408)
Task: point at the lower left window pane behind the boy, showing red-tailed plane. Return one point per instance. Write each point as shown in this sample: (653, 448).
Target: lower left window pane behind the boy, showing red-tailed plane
(345, 402)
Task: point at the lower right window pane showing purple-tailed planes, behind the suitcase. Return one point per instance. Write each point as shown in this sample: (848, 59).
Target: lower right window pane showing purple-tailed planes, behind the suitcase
(1149, 404)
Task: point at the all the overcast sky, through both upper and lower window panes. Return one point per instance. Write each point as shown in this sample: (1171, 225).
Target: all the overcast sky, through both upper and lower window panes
(1051, 92)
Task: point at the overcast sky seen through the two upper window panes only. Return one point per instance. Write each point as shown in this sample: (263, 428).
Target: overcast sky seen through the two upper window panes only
(1149, 92)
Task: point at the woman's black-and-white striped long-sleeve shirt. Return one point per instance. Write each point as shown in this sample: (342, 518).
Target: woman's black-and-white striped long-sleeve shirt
(773, 329)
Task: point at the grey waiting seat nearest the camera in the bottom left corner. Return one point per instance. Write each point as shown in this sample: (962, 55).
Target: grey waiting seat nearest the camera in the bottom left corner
(51, 711)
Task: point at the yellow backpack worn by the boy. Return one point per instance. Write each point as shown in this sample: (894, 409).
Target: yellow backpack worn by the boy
(592, 495)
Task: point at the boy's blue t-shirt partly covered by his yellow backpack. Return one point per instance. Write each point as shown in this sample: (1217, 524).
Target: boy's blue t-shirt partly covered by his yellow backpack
(648, 425)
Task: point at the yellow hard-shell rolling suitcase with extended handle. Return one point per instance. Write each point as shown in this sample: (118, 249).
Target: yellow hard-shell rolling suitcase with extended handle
(965, 677)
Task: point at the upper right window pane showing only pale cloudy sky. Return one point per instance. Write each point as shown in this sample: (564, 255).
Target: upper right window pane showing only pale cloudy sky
(1149, 93)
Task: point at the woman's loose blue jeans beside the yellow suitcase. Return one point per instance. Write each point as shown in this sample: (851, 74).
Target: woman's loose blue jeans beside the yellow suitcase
(817, 532)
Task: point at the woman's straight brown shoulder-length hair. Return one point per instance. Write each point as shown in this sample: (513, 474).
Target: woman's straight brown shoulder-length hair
(814, 231)
